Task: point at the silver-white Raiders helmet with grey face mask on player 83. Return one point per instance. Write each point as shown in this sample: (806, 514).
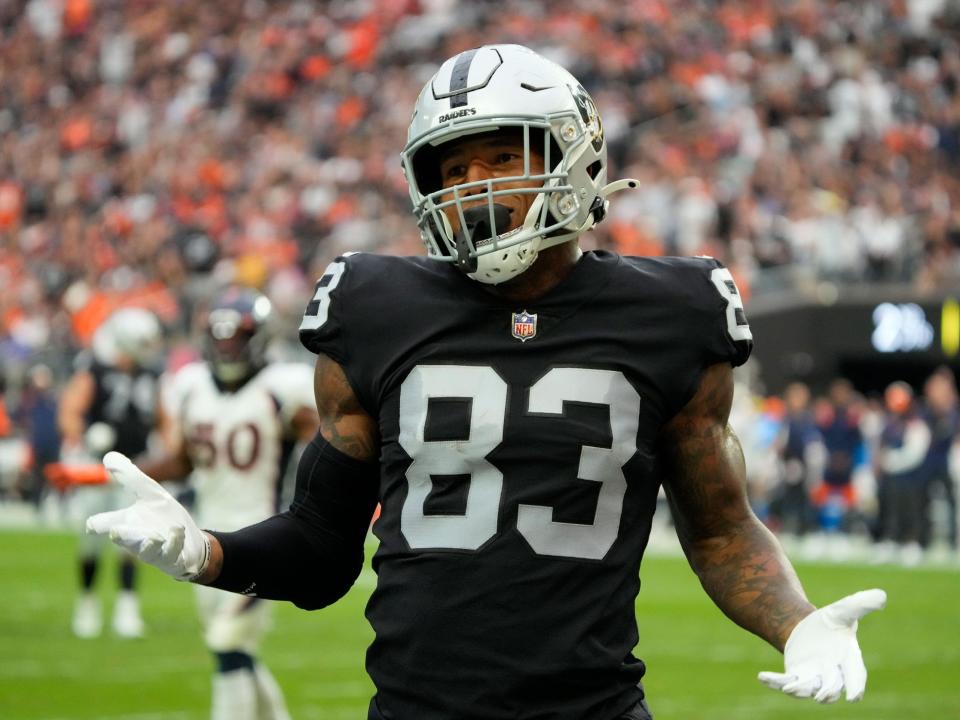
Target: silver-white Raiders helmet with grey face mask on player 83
(496, 88)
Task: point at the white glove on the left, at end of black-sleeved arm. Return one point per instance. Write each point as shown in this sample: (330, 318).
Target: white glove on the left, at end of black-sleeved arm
(156, 528)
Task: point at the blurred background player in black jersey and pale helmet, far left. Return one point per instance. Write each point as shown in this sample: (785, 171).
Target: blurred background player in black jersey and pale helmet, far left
(109, 403)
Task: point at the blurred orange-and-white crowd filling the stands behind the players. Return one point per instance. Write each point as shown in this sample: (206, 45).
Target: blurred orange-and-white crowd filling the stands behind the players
(151, 152)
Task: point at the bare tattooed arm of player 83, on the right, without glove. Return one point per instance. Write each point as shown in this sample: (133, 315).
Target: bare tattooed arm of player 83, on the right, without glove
(739, 562)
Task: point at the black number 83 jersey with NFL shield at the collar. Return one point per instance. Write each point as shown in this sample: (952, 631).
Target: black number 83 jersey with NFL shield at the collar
(518, 469)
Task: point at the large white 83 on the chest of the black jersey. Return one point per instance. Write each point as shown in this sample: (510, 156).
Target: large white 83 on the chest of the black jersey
(487, 393)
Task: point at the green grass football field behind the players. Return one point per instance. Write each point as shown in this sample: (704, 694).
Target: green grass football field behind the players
(700, 665)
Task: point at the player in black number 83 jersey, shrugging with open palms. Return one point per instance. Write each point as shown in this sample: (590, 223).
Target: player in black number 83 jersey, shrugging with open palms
(514, 404)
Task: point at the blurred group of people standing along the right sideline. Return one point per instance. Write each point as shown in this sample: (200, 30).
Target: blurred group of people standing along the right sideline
(879, 469)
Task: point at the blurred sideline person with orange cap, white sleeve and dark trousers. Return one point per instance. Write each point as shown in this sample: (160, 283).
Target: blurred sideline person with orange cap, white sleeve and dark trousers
(903, 448)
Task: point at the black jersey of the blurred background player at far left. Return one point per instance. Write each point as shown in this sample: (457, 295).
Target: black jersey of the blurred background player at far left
(127, 402)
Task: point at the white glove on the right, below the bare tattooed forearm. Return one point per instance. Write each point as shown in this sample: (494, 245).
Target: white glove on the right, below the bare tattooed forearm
(822, 656)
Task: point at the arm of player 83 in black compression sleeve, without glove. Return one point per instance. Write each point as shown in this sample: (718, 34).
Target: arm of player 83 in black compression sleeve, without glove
(337, 488)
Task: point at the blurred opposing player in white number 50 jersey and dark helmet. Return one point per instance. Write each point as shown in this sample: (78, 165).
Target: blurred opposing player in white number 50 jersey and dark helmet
(235, 420)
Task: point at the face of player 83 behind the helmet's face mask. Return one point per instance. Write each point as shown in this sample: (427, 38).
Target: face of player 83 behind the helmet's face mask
(488, 157)
